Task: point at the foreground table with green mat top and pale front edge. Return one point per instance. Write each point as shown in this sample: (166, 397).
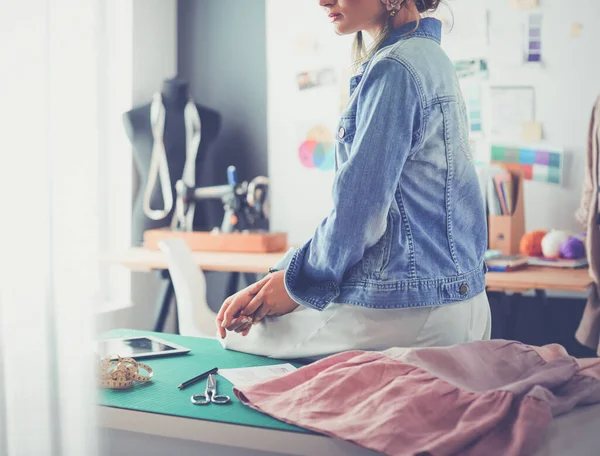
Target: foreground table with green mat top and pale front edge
(156, 419)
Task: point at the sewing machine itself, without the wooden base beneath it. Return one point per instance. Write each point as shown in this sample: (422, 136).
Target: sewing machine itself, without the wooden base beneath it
(245, 204)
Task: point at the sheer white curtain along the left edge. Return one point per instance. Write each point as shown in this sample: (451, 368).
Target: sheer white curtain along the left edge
(52, 119)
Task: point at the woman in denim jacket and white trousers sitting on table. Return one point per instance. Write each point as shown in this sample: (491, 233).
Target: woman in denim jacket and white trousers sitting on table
(399, 261)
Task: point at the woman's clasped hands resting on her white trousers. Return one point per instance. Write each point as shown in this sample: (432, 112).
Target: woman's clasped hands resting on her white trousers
(267, 297)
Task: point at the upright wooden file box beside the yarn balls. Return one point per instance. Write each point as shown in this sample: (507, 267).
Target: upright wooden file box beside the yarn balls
(505, 231)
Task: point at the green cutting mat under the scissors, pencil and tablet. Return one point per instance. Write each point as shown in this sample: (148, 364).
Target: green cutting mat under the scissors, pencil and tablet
(162, 396)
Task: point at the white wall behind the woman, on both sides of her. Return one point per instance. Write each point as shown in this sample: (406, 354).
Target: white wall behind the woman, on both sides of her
(566, 87)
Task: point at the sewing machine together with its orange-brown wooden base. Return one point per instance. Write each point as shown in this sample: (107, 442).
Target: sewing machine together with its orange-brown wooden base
(243, 227)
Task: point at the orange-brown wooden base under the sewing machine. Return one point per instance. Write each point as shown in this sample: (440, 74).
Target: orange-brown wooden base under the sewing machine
(204, 241)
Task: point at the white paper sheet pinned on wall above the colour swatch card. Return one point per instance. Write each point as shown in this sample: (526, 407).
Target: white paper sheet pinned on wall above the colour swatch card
(511, 108)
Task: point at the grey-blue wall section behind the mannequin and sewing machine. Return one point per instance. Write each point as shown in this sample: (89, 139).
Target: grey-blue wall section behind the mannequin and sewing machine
(222, 53)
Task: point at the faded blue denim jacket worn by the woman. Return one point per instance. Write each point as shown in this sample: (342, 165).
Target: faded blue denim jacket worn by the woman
(408, 228)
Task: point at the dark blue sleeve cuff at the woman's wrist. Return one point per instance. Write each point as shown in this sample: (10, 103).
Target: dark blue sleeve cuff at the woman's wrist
(302, 290)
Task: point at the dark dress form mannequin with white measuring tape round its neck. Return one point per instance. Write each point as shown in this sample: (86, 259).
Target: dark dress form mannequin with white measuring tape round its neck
(175, 96)
